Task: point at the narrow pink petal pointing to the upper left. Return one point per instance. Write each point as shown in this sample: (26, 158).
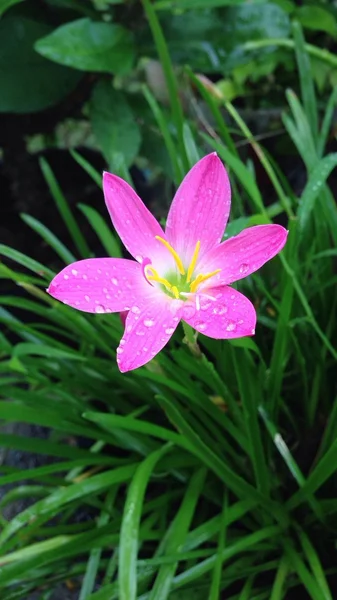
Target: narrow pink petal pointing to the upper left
(134, 223)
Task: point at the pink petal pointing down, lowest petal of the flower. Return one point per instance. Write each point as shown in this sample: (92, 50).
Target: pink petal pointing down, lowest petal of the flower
(148, 328)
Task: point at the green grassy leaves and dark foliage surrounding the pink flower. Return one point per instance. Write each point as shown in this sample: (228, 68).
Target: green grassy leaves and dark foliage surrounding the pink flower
(205, 476)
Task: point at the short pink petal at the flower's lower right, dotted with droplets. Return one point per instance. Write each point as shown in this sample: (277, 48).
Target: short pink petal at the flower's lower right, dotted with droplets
(229, 315)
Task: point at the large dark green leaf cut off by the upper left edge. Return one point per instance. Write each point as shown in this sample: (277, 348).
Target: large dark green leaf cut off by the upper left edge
(29, 82)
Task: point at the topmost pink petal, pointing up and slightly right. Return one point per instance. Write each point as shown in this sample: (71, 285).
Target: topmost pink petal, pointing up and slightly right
(200, 208)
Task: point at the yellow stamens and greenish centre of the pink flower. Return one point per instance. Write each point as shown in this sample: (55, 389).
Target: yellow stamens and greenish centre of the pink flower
(179, 284)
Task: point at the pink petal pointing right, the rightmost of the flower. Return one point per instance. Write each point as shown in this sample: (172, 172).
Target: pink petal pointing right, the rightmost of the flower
(245, 253)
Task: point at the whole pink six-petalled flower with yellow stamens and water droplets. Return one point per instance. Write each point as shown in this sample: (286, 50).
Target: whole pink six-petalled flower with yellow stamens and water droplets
(182, 273)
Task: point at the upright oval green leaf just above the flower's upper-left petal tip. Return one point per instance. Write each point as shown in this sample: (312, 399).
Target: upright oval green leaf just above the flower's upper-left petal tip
(114, 125)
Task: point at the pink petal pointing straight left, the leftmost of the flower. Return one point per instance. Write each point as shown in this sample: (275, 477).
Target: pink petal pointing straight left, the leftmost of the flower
(100, 285)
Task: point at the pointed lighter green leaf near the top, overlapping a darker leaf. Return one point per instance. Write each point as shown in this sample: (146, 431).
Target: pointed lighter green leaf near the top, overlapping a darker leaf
(89, 46)
